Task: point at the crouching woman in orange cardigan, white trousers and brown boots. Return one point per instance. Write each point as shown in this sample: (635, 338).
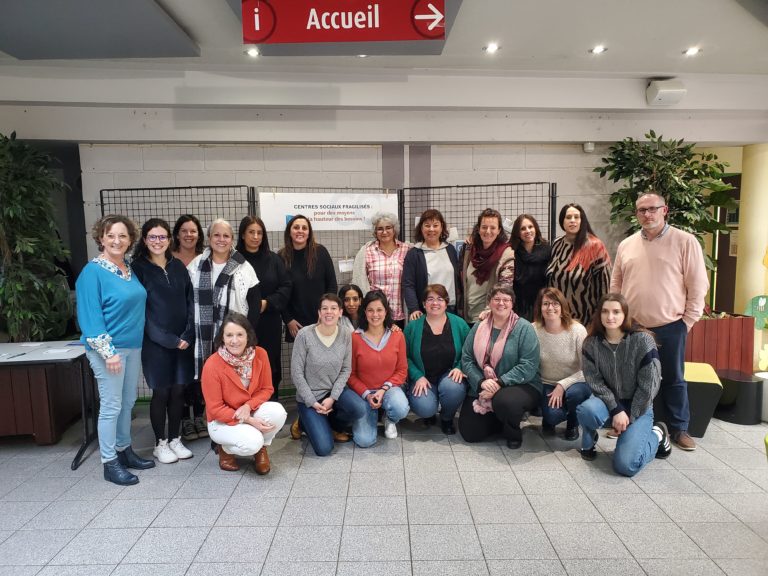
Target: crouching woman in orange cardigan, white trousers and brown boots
(237, 386)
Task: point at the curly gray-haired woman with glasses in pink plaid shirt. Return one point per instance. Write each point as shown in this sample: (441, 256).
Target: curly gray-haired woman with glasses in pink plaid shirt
(379, 263)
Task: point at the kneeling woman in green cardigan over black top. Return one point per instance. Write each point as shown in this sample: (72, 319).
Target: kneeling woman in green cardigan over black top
(434, 342)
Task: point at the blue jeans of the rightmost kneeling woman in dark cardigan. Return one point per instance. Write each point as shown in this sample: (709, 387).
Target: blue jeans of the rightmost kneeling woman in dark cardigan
(636, 446)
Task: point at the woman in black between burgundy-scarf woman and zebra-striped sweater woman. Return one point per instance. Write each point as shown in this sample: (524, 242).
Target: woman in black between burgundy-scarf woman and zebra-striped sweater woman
(532, 254)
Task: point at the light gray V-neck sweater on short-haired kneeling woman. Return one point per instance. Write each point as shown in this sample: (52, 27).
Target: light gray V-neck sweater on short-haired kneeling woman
(316, 369)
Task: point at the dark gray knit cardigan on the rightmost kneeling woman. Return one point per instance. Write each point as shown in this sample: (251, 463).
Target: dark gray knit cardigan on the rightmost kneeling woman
(631, 373)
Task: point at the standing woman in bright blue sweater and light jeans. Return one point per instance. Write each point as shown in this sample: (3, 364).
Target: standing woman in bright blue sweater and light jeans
(110, 310)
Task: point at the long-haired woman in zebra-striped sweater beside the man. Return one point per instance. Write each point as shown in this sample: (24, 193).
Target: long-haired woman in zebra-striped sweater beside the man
(580, 266)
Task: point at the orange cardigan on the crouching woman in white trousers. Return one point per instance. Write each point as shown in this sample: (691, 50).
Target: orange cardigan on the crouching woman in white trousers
(224, 393)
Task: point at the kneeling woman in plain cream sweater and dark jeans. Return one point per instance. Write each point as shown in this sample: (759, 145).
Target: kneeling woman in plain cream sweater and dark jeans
(560, 341)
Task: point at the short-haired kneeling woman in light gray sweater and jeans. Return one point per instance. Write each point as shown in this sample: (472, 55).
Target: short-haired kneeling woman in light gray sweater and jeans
(321, 363)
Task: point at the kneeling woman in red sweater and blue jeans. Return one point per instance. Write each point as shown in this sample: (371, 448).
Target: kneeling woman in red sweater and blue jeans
(379, 368)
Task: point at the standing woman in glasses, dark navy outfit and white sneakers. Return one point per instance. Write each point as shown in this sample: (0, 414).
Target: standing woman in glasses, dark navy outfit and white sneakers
(166, 356)
